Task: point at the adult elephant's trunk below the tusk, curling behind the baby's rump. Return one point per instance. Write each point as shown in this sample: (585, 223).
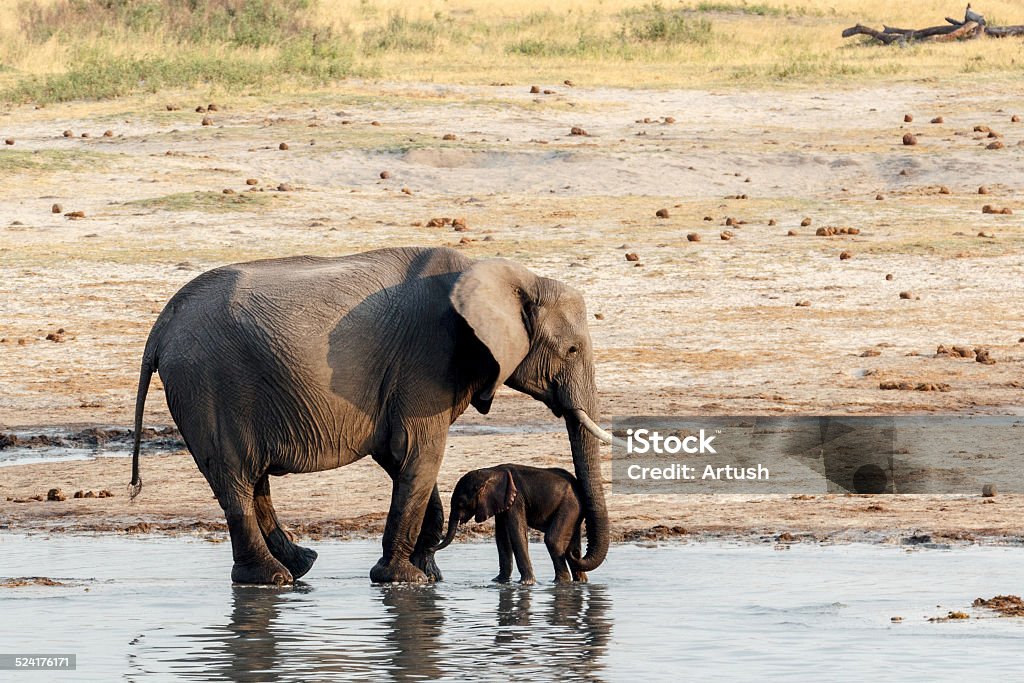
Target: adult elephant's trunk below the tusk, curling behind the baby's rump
(587, 459)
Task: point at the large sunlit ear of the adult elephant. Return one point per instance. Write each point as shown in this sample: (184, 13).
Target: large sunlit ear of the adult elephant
(491, 297)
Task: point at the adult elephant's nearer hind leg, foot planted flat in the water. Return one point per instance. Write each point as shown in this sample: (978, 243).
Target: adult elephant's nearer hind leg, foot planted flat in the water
(253, 562)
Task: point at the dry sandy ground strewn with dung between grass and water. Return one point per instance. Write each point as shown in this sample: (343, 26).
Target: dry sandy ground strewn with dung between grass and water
(701, 328)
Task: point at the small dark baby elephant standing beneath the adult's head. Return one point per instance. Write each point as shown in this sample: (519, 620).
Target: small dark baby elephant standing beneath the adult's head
(520, 497)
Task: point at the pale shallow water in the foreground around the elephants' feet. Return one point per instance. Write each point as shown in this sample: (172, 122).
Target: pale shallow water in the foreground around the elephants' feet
(136, 608)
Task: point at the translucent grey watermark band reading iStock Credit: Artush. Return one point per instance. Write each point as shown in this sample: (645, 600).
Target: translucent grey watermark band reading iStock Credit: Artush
(818, 455)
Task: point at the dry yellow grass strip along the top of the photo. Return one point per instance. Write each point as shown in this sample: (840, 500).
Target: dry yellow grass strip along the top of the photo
(612, 42)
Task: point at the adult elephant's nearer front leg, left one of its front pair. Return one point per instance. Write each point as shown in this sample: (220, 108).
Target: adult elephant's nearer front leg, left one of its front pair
(412, 488)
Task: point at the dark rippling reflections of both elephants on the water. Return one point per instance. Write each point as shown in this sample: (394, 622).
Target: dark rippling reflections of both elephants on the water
(565, 628)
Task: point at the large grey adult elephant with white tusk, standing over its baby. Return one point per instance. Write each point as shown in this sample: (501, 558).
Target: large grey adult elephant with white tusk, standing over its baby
(306, 364)
